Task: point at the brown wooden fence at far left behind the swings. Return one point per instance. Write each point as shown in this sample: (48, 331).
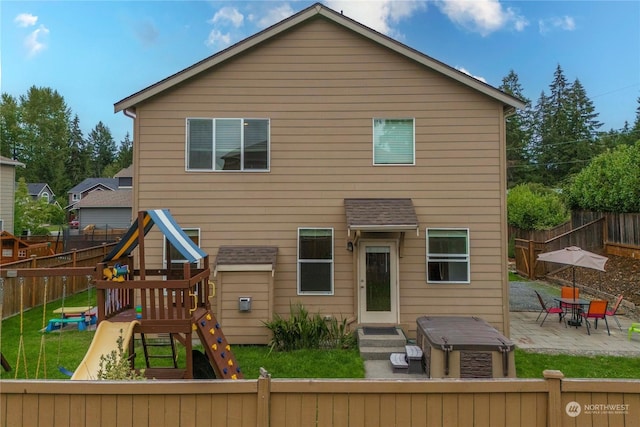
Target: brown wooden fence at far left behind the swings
(33, 287)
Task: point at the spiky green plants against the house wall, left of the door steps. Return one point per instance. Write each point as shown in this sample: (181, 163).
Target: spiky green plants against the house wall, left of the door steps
(303, 330)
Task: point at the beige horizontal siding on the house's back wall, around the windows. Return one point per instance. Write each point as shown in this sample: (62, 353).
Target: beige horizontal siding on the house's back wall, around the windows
(321, 86)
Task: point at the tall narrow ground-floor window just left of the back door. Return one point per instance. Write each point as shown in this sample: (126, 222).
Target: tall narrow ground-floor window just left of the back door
(315, 261)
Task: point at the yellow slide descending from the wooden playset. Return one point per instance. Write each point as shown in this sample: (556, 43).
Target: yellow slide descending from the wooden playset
(104, 342)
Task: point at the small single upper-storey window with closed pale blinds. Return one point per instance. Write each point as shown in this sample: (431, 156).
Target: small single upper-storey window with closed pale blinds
(393, 142)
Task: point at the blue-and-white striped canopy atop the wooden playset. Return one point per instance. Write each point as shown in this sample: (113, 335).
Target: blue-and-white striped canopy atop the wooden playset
(168, 226)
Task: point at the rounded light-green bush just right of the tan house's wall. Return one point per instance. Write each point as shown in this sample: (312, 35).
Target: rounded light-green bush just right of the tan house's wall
(535, 207)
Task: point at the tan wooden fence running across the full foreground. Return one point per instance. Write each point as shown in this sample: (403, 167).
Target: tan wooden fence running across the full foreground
(552, 401)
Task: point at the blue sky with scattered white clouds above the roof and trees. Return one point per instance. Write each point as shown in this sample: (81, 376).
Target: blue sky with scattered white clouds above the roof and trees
(95, 53)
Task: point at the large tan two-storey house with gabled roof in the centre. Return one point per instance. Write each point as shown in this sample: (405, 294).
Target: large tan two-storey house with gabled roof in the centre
(322, 162)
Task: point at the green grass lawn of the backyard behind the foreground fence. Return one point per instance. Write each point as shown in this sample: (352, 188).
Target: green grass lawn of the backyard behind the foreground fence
(67, 348)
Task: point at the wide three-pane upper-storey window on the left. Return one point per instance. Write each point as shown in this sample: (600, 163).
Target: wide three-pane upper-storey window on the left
(228, 144)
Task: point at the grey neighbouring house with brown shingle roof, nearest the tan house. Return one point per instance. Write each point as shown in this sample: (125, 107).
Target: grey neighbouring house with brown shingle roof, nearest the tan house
(105, 209)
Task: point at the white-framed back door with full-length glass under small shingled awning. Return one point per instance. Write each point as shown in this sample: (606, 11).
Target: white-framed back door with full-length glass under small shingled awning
(378, 281)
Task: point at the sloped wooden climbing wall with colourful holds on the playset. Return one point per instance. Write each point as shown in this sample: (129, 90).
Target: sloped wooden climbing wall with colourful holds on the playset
(217, 347)
